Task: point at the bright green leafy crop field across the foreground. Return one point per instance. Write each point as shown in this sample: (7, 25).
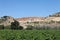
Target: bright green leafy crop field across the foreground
(29, 34)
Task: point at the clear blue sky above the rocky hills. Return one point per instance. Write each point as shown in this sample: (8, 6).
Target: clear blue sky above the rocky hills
(28, 8)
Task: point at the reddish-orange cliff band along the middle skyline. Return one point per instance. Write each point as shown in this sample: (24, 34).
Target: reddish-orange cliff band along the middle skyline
(30, 19)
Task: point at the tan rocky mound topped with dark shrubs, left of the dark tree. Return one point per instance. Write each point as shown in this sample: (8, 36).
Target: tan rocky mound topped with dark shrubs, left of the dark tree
(6, 20)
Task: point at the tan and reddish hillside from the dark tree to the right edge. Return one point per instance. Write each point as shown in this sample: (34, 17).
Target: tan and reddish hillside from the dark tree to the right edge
(50, 21)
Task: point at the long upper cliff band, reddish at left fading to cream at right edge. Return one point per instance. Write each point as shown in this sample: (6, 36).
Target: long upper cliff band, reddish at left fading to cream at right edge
(38, 19)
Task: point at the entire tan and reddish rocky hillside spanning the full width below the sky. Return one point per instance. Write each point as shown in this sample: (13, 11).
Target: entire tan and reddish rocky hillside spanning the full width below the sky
(51, 20)
